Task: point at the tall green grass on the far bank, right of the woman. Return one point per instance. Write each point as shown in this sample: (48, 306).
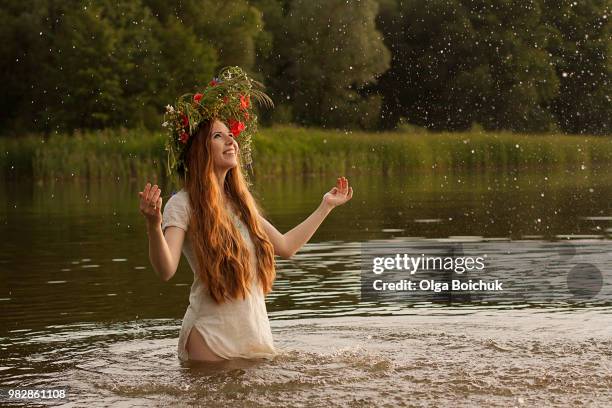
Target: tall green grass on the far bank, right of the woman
(295, 150)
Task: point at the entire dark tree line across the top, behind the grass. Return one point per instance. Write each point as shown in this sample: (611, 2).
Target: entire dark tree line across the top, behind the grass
(519, 65)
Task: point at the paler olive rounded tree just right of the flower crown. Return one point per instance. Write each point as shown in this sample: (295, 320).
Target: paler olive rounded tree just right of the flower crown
(336, 51)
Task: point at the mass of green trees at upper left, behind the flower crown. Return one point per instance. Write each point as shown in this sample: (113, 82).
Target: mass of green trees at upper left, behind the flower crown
(113, 64)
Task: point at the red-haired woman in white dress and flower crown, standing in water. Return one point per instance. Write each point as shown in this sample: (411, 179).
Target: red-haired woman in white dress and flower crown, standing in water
(215, 221)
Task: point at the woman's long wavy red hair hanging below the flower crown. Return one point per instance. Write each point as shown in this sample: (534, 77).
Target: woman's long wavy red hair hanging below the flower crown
(222, 254)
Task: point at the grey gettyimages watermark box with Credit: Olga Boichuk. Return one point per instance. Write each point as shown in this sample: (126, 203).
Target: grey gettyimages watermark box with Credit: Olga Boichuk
(486, 272)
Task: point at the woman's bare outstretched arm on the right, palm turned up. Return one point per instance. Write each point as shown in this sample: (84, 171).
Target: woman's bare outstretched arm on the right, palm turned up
(286, 245)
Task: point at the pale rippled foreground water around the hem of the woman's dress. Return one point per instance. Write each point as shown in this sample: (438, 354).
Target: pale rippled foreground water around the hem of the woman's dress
(423, 359)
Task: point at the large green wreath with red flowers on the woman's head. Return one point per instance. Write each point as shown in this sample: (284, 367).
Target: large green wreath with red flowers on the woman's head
(227, 98)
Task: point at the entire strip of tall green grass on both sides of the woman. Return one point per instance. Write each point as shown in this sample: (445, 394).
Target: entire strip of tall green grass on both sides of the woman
(121, 154)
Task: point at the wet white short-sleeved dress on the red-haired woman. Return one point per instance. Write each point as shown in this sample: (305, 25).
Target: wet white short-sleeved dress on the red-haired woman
(234, 329)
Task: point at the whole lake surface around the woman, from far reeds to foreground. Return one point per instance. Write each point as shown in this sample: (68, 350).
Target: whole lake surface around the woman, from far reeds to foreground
(81, 306)
